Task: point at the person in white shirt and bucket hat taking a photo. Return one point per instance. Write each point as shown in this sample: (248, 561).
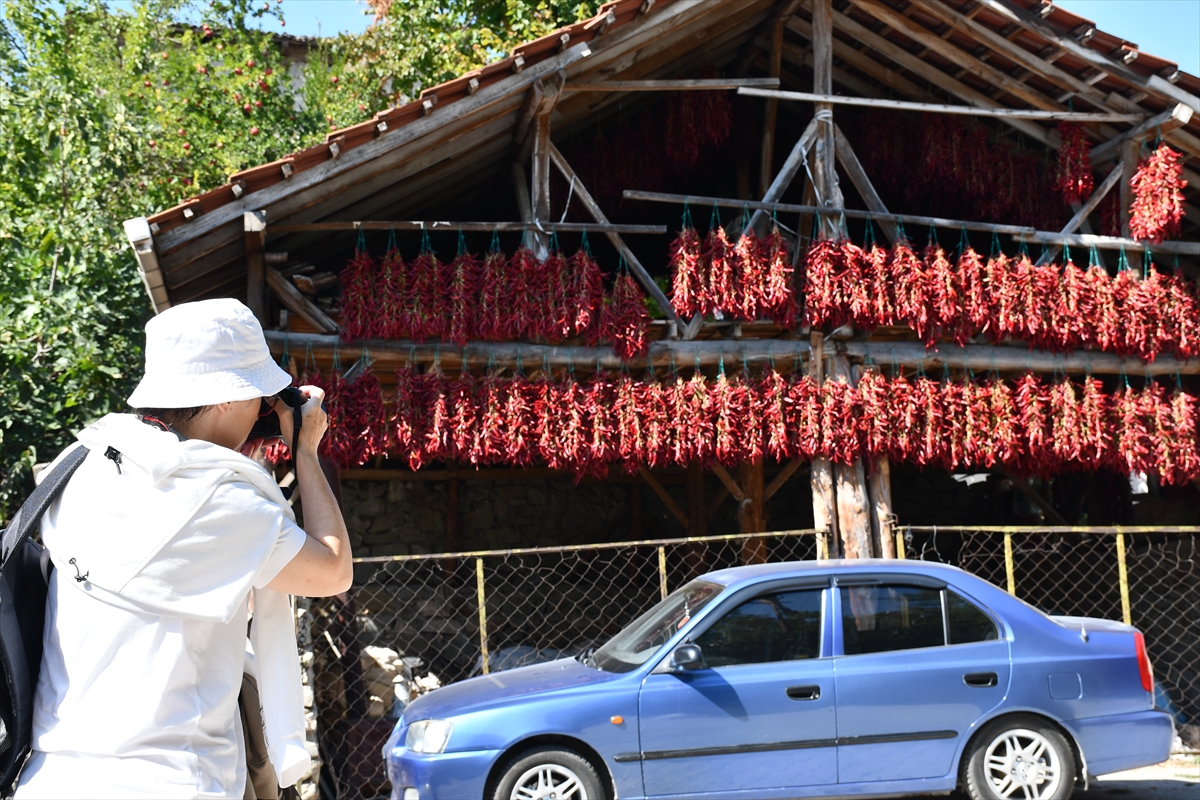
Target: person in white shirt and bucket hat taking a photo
(160, 540)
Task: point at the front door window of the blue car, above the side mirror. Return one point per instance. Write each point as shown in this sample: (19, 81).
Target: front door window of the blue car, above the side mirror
(782, 627)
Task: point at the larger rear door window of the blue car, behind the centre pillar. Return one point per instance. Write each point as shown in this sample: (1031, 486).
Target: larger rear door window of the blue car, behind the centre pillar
(891, 617)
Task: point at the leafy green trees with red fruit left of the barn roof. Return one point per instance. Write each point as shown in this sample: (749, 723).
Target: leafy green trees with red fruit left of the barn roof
(113, 112)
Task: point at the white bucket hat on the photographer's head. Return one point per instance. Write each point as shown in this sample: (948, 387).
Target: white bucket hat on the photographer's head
(206, 353)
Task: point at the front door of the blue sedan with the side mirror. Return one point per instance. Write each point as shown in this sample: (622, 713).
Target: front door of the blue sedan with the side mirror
(759, 714)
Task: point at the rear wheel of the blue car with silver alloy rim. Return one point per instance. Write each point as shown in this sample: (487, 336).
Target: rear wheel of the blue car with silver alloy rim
(1023, 750)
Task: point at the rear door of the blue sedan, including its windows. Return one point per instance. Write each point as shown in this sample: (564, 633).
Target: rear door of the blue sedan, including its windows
(917, 666)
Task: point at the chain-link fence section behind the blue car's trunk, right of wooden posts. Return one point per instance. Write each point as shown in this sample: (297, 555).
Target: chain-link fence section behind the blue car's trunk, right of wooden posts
(1149, 578)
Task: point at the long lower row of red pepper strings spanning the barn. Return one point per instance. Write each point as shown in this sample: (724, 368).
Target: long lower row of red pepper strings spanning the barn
(1030, 425)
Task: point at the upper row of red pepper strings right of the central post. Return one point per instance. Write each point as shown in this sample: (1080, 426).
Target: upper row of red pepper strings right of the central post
(1058, 308)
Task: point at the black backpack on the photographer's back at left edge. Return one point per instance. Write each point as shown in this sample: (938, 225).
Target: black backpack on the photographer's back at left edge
(25, 578)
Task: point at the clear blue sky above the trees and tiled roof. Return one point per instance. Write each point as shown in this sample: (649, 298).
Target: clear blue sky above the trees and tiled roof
(1169, 29)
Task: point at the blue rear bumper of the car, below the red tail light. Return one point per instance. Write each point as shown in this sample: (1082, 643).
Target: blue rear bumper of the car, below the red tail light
(1124, 742)
